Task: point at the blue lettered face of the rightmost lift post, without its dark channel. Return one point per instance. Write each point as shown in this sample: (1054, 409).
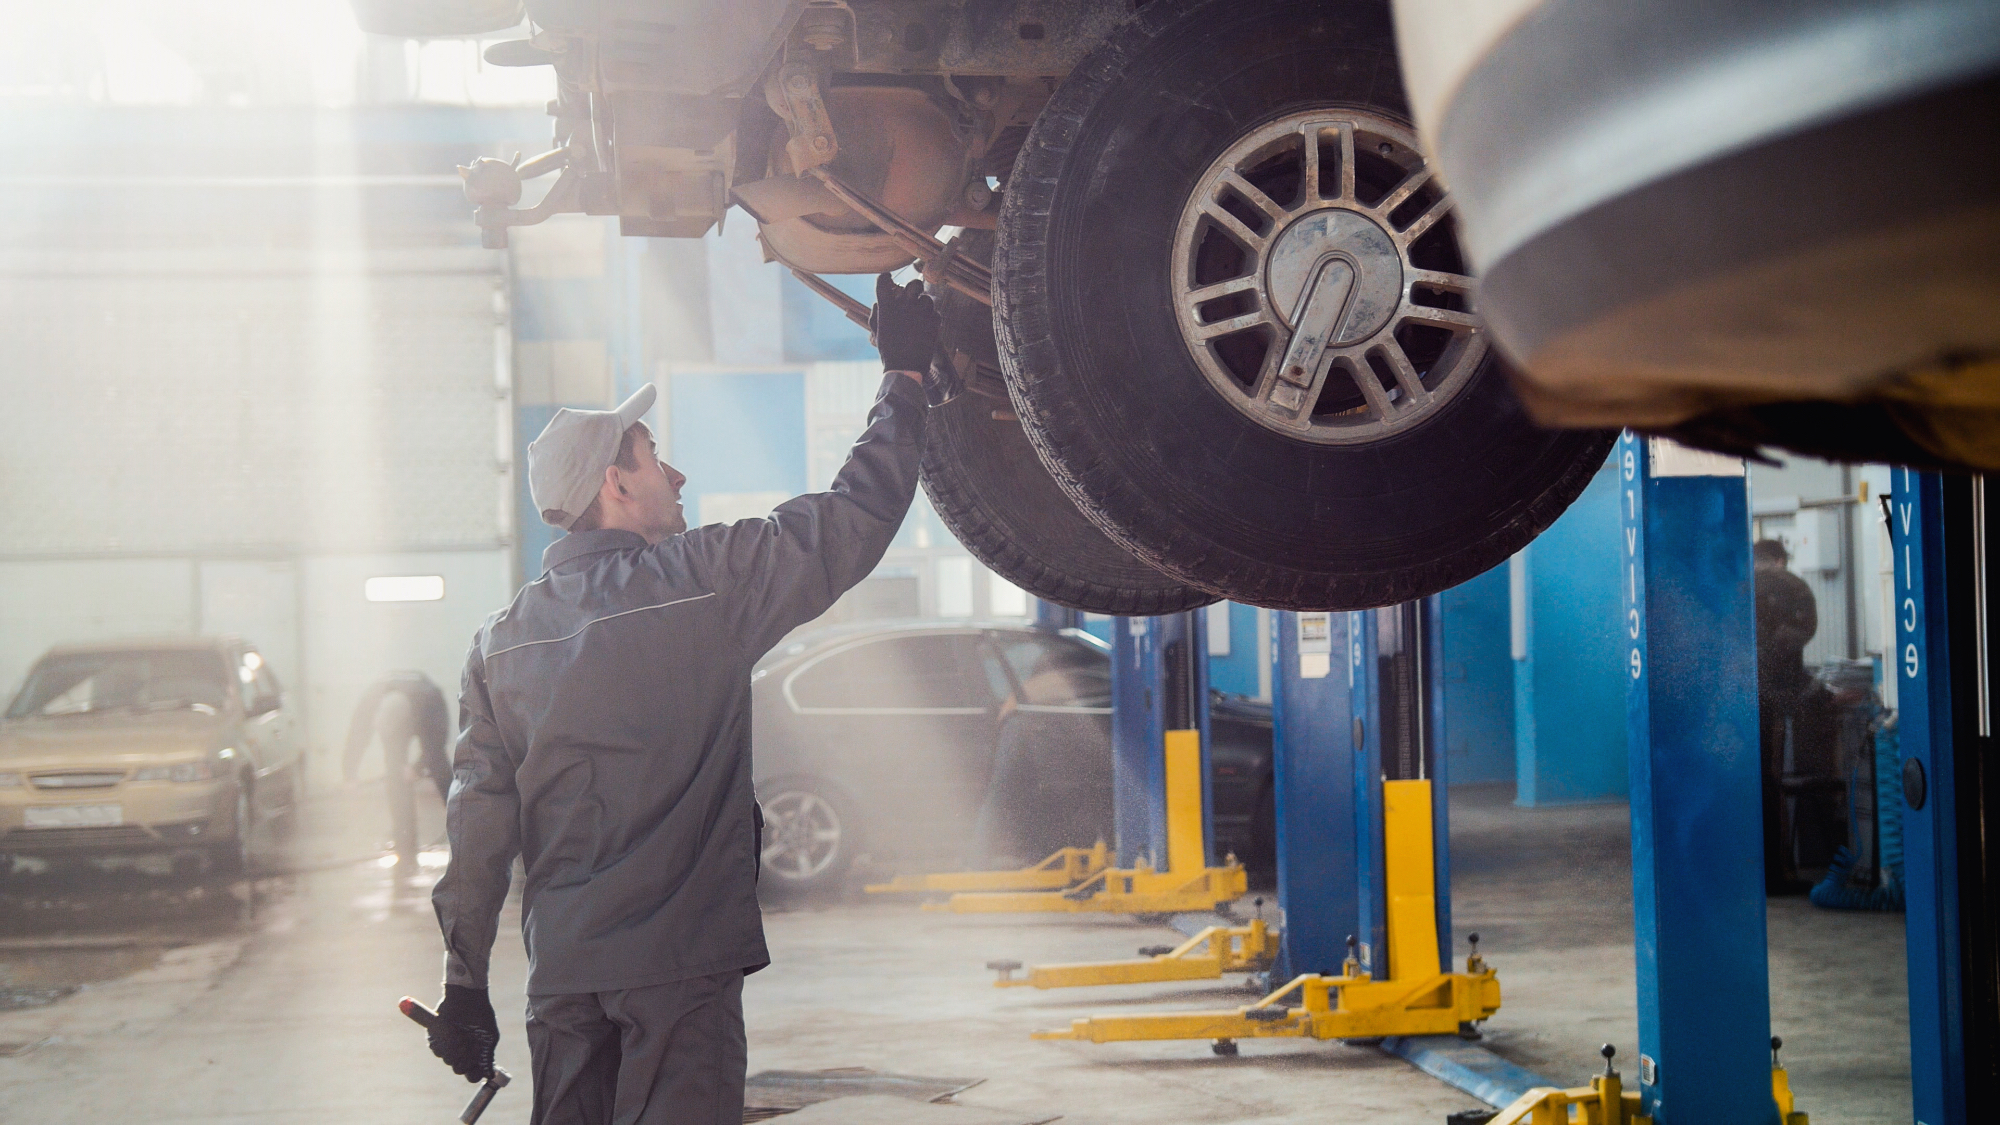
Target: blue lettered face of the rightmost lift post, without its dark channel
(1929, 828)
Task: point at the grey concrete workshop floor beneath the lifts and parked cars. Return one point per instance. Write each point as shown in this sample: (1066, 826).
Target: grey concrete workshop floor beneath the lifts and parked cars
(207, 1014)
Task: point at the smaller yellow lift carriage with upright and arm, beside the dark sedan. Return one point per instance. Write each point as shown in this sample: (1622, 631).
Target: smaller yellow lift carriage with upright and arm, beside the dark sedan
(1187, 884)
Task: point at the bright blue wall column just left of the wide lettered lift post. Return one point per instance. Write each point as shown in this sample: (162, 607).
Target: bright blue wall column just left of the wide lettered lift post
(1569, 690)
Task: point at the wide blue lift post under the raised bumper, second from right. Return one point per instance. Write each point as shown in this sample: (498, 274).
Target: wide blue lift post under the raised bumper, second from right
(1697, 816)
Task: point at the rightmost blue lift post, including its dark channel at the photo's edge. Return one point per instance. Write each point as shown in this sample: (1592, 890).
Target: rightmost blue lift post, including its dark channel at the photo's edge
(1943, 533)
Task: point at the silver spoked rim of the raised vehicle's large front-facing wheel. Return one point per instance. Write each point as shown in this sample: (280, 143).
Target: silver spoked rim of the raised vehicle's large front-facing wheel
(1359, 341)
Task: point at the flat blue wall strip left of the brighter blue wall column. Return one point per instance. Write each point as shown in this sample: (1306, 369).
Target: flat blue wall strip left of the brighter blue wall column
(1479, 682)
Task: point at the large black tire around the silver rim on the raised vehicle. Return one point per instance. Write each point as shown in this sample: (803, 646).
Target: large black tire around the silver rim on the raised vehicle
(1113, 397)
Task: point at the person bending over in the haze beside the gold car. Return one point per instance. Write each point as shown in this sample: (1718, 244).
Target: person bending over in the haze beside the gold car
(395, 712)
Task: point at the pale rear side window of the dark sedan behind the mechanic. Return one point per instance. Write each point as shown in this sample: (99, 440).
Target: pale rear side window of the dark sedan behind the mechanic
(899, 674)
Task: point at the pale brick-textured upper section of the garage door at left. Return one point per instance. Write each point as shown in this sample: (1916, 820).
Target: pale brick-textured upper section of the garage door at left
(251, 411)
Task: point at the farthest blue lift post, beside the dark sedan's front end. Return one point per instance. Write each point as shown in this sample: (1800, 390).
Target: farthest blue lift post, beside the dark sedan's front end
(1159, 686)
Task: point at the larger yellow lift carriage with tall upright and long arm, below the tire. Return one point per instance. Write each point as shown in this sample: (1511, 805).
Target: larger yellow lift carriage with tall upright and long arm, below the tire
(1417, 1000)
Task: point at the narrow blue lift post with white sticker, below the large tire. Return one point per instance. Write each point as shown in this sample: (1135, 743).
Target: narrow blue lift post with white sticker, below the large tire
(1313, 776)
